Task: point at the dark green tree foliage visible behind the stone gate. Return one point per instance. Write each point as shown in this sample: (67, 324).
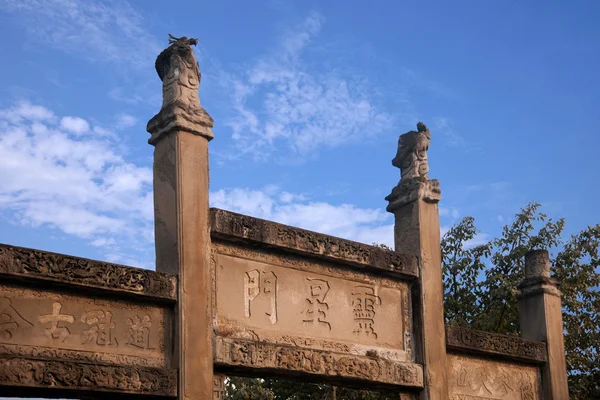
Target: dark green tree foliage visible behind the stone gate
(481, 285)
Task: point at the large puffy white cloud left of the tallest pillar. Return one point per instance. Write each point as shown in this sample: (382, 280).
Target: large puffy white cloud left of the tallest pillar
(53, 176)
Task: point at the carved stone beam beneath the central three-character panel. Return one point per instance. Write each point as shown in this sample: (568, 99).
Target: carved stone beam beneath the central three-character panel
(296, 361)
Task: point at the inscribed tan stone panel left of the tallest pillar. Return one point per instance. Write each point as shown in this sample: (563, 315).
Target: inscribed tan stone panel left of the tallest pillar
(52, 325)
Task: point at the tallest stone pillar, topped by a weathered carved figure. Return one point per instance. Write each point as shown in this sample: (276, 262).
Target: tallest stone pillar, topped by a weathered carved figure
(180, 134)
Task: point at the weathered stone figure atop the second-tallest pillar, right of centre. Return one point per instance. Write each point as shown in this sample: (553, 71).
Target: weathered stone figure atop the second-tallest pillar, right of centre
(411, 157)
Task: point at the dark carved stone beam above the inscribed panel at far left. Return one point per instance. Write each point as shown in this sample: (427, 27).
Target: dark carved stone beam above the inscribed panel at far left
(80, 271)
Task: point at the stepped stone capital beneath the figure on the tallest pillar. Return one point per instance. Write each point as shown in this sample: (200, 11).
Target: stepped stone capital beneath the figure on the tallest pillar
(174, 118)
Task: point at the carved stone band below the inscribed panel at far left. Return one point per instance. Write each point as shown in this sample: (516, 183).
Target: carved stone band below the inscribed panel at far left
(80, 376)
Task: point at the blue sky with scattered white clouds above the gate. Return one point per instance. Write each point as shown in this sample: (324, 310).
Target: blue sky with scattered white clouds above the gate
(309, 99)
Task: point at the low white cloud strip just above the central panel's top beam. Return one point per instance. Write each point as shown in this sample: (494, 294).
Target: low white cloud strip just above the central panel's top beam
(365, 225)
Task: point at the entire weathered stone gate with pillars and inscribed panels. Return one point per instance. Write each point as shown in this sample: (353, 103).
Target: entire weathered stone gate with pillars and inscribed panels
(233, 294)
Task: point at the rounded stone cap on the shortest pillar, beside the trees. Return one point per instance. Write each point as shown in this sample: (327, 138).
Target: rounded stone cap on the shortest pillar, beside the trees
(537, 275)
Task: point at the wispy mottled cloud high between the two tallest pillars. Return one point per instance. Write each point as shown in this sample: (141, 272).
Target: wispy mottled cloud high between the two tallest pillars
(283, 102)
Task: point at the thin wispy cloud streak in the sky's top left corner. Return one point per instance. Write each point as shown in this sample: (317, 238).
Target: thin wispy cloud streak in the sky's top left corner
(99, 30)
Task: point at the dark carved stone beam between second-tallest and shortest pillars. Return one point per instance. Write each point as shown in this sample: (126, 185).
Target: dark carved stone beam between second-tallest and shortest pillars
(470, 340)
